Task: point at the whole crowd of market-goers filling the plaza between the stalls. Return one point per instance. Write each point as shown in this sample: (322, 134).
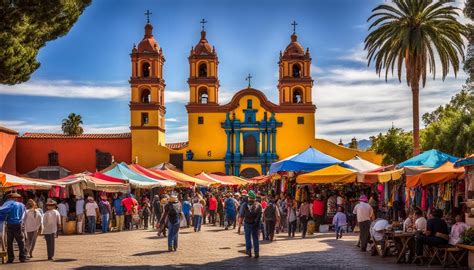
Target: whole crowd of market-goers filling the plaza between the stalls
(260, 216)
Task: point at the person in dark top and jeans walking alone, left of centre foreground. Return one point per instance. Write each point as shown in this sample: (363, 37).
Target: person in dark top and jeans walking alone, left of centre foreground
(174, 214)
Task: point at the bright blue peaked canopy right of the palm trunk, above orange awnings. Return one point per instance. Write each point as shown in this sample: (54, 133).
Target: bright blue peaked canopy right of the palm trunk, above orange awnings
(432, 158)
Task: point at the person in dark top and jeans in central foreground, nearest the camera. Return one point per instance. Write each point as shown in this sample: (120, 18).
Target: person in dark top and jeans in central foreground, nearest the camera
(251, 212)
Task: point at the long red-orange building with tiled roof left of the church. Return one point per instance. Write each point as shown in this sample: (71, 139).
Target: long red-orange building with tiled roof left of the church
(87, 152)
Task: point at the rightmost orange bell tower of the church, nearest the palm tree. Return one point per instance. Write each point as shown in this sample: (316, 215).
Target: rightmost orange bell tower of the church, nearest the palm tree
(295, 83)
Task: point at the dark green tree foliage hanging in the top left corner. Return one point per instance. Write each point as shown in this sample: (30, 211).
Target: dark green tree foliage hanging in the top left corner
(26, 26)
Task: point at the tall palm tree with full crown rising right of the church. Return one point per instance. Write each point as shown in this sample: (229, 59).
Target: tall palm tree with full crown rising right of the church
(416, 33)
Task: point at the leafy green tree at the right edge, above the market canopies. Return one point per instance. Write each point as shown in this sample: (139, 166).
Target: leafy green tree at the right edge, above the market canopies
(450, 128)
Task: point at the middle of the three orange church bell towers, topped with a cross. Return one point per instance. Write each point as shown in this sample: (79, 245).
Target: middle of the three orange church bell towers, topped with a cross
(203, 80)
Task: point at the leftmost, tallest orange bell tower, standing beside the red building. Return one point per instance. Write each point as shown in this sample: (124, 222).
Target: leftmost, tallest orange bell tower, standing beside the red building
(147, 104)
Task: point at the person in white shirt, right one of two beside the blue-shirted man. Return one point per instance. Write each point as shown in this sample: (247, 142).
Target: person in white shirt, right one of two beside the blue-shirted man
(51, 223)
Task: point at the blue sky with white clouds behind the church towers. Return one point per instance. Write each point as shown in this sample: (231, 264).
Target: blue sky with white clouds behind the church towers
(87, 70)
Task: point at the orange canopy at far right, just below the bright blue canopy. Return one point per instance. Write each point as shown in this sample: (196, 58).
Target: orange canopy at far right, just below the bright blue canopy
(439, 175)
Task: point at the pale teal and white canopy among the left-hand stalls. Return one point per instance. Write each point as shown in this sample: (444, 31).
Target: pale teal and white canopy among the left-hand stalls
(136, 180)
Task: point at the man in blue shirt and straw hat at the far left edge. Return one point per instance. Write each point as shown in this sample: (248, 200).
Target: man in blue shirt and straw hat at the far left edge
(12, 211)
